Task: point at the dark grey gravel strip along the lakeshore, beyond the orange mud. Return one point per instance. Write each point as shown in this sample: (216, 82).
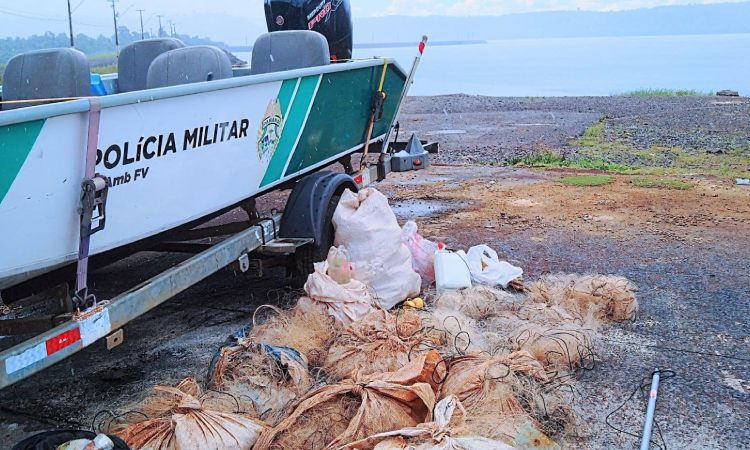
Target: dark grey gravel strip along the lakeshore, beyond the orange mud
(474, 129)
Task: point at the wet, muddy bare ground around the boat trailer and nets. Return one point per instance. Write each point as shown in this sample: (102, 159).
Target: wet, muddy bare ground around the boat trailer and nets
(686, 249)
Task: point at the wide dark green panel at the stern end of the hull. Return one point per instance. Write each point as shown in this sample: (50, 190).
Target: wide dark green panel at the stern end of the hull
(340, 116)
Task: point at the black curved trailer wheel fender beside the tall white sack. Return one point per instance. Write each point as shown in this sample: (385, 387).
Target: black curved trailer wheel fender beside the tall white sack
(309, 210)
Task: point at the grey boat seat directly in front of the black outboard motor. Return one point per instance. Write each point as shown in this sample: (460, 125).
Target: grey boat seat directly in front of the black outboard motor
(289, 50)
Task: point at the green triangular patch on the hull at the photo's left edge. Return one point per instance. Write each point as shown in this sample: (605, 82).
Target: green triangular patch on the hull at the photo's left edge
(16, 142)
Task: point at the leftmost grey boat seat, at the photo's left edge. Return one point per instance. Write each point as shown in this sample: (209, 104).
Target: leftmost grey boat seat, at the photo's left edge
(46, 74)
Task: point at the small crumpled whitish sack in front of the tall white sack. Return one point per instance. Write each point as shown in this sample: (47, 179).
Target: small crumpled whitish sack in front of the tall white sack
(346, 303)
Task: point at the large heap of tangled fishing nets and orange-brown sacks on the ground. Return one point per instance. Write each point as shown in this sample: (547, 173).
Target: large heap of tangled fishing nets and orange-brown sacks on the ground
(499, 361)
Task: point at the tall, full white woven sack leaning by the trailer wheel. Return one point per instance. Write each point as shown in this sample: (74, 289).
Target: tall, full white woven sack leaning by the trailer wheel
(367, 227)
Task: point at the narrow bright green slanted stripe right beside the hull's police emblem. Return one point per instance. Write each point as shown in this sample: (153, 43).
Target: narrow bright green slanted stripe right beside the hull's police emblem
(293, 123)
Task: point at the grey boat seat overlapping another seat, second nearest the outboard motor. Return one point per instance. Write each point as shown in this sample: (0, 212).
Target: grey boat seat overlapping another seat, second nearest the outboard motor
(189, 65)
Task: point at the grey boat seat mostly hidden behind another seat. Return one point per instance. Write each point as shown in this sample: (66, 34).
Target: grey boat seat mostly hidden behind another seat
(136, 58)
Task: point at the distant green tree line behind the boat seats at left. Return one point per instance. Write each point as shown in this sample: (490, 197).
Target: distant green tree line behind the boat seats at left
(101, 45)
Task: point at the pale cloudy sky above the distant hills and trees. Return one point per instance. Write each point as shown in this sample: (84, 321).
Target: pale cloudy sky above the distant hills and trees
(93, 17)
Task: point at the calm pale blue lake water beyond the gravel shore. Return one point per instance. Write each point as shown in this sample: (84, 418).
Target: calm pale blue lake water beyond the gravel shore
(581, 66)
